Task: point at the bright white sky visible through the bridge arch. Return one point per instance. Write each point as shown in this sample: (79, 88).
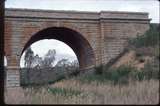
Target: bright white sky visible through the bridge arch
(41, 48)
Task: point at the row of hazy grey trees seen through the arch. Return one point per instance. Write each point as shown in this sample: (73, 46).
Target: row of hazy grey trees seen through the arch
(35, 61)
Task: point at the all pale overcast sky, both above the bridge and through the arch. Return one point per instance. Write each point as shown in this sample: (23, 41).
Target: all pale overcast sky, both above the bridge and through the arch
(150, 6)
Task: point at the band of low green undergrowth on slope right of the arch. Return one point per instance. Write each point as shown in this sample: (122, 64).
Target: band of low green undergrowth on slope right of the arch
(121, 75)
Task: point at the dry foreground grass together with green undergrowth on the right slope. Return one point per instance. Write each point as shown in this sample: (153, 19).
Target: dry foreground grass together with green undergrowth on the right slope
(123, 85)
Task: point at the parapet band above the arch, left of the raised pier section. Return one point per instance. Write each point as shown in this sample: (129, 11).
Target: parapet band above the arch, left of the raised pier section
(50, 14)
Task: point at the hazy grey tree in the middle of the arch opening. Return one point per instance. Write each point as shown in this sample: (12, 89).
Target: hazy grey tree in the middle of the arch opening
(49, 58)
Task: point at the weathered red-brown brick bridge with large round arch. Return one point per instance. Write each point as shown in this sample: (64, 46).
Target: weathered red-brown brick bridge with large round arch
(95, 37)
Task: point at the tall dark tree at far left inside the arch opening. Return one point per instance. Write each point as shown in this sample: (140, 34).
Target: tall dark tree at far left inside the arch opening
(29, 56)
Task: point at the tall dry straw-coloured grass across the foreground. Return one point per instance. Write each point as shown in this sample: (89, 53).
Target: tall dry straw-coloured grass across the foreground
(144, 92)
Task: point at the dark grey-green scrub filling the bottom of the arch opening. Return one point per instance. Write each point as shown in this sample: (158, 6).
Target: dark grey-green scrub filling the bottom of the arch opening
(34, 76)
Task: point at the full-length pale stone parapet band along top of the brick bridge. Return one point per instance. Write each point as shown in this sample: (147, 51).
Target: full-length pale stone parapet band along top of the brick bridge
(59, 14)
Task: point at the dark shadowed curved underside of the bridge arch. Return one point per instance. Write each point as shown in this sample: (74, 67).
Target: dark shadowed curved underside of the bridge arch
(72, 38)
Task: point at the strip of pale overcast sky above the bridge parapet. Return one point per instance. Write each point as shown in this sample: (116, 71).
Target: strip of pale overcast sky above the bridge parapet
(150, 6)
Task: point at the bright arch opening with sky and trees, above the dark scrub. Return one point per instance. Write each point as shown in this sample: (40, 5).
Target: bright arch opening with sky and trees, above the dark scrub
(52, 48)
